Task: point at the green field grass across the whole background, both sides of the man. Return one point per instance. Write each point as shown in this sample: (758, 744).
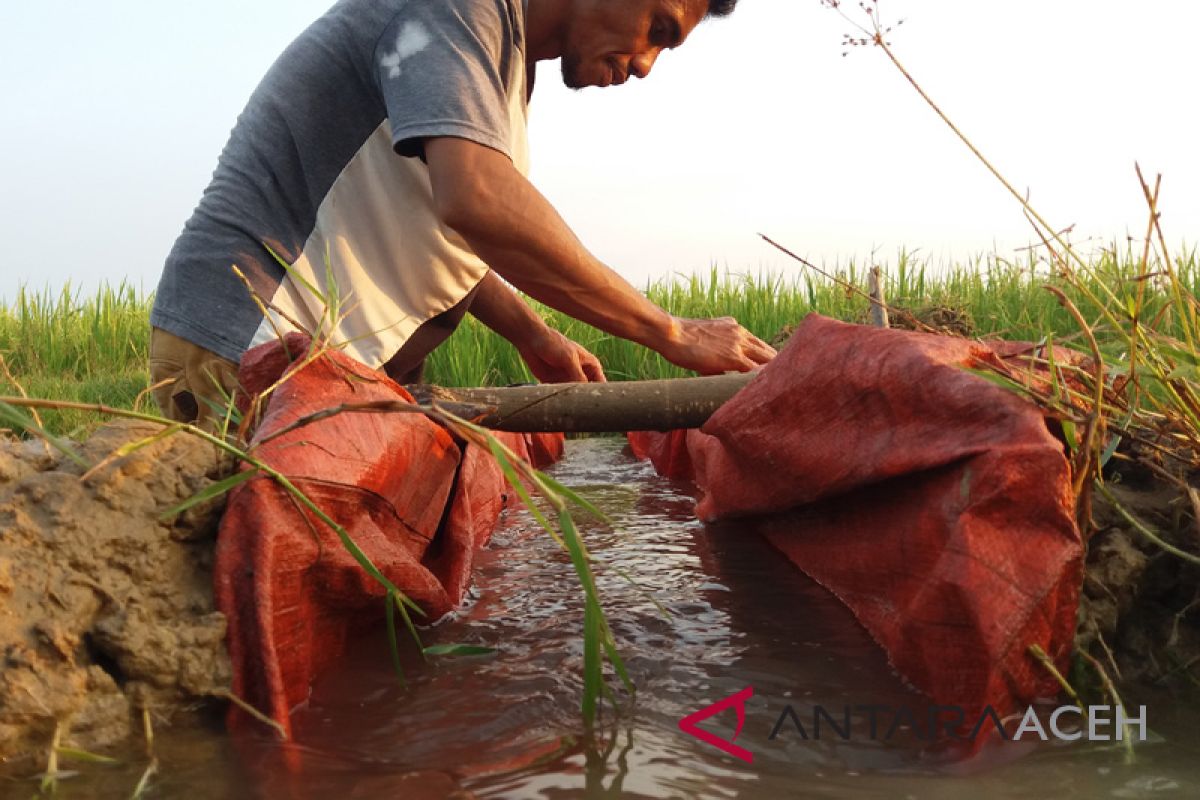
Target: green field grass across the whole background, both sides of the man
(67, 346)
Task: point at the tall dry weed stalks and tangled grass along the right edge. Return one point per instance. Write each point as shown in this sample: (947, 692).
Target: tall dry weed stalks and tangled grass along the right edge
(1149, 393)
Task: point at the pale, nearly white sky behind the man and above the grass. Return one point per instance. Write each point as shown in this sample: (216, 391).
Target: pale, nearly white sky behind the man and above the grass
(115, 113)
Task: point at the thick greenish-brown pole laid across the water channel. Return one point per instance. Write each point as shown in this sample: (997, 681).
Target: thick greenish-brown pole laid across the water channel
(591, 408)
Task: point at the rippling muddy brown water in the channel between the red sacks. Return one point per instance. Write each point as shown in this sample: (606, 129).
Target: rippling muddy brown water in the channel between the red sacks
(507, 726)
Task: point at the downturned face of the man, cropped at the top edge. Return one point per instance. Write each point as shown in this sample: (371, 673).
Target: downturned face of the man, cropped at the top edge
(610, 41)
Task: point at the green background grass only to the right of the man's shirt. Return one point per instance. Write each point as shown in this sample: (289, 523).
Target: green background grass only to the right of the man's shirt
(1003, 298)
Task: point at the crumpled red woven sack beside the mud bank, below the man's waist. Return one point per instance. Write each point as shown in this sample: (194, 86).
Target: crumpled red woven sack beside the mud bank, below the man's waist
(412, 497)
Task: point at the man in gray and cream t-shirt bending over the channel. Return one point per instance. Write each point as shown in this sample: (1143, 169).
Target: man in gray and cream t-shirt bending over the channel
(375, 188)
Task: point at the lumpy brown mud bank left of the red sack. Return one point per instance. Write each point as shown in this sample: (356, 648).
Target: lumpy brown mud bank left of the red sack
(105, 609)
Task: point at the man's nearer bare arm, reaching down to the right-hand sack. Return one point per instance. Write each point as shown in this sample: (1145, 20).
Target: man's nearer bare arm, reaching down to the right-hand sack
(514, 228)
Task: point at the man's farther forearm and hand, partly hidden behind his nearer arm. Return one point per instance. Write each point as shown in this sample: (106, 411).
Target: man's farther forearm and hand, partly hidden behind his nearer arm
(551, 357)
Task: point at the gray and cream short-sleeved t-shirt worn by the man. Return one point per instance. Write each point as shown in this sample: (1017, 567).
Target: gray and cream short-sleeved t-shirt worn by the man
(323, 172)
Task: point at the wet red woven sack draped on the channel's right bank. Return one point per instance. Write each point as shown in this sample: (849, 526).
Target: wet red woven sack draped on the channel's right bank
(935, 504)
